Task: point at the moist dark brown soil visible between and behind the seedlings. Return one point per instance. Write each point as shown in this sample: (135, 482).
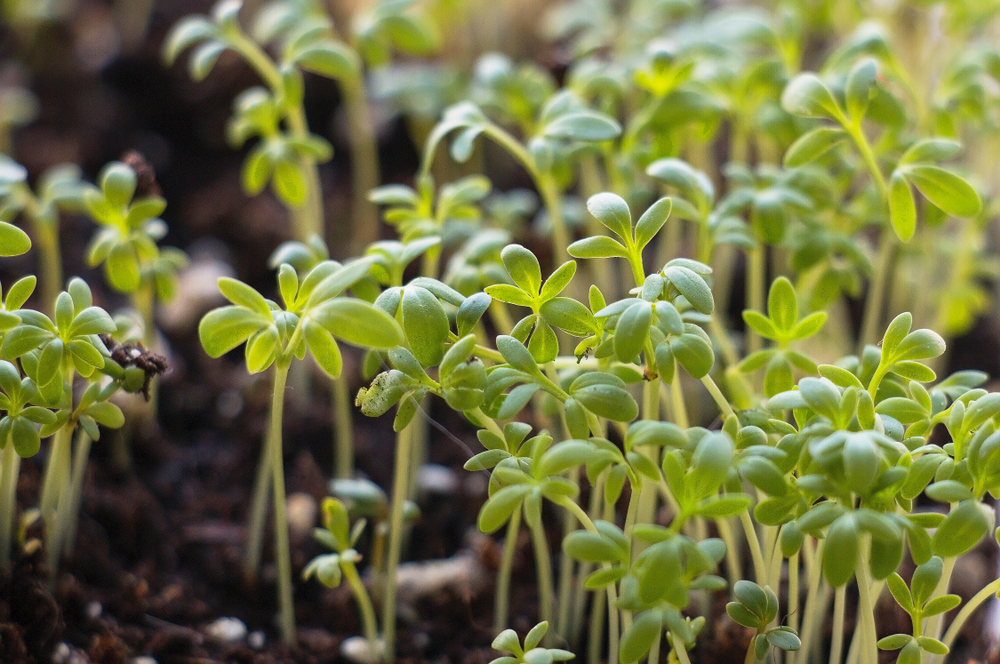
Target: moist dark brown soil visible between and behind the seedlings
(158, 555)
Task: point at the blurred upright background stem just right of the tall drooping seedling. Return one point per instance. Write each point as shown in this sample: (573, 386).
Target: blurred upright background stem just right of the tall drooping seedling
(364, 163)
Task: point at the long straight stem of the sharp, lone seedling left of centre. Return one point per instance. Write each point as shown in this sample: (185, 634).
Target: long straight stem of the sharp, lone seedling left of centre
(281, 545)
